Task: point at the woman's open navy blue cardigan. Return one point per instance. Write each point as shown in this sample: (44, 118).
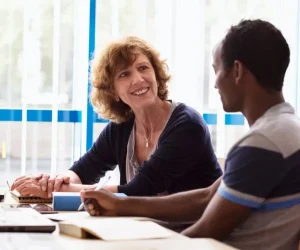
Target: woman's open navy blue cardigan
(184, 159)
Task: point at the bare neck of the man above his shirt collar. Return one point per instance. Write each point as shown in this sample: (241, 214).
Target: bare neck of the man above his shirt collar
(254, 108)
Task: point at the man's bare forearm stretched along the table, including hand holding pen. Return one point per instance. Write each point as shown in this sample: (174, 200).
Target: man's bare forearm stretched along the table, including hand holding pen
(181, 207)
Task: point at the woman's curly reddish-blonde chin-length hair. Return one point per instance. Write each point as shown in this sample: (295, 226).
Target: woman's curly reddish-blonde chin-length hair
(103, 70)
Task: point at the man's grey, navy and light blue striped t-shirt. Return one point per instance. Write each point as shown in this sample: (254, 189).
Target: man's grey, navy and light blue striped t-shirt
(262, 171)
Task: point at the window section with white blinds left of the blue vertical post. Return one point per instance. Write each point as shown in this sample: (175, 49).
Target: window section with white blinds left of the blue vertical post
(36, 74)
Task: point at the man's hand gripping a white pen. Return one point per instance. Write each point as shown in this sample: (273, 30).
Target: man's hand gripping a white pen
(102, 202)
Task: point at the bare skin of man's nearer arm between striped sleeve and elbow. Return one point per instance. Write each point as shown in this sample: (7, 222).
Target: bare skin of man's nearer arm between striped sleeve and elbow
(219, 219)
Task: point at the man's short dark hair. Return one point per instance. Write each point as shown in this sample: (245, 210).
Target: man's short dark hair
(261, 47)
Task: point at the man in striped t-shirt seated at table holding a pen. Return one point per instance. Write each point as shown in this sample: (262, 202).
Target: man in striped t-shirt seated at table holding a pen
(257, 204)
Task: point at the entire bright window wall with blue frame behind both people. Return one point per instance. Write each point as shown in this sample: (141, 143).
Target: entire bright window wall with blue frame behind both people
(44, 46)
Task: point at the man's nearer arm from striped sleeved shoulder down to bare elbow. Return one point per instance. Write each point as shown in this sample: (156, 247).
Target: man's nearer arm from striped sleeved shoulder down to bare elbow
(241, 190)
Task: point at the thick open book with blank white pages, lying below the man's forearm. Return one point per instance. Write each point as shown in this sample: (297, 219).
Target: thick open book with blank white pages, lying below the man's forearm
(113, 229)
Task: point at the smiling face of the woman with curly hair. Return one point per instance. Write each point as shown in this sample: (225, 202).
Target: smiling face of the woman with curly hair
(136, 85)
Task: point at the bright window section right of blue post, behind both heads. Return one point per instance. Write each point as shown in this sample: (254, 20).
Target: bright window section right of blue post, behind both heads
(185, 33)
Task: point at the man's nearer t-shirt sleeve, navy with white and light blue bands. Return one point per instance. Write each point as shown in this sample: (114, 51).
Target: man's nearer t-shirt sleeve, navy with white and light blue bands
(253, 169)
